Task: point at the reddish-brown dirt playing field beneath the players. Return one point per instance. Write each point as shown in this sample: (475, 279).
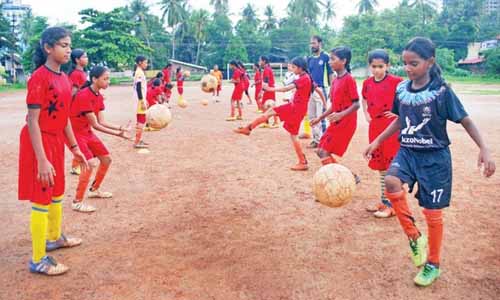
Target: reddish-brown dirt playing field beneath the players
(211, 215)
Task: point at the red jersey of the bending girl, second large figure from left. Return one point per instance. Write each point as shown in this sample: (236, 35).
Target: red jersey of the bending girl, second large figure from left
(85, 101)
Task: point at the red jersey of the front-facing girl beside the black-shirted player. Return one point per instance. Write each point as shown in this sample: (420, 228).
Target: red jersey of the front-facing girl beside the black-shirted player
(380, 95)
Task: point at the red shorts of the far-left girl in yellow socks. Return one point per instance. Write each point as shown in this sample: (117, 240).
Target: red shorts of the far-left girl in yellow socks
(30, 188)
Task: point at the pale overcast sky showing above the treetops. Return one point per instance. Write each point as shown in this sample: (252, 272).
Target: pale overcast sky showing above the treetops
(67, 11)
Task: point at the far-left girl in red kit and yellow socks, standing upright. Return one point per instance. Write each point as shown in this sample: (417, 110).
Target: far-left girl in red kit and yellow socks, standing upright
(41, 151)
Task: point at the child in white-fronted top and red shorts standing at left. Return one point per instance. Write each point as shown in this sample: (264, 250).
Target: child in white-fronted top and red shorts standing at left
(140, 89)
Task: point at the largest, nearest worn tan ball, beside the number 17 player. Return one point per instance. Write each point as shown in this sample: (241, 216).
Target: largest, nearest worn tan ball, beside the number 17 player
(333, 185)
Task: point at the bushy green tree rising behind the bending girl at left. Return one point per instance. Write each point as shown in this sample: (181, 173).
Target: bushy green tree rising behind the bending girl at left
(108, 39)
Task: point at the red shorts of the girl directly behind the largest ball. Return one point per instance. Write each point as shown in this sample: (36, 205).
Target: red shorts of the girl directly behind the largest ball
(337, 137)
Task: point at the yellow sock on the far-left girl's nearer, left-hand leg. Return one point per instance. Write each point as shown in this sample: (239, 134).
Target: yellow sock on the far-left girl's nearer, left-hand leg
(38, 225)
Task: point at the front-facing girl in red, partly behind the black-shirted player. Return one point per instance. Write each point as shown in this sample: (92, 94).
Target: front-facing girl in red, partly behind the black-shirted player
(378, 96)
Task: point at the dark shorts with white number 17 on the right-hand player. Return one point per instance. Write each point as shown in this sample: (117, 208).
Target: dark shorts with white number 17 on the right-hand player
(432, 170)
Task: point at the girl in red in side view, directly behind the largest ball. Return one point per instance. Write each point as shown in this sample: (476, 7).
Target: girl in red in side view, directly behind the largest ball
(342, 114)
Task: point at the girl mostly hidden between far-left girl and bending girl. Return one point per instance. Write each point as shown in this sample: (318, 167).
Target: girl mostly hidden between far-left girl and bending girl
(78, 77)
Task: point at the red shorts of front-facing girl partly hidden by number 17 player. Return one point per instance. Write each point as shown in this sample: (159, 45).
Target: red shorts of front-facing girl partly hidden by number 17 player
(383, 155)
